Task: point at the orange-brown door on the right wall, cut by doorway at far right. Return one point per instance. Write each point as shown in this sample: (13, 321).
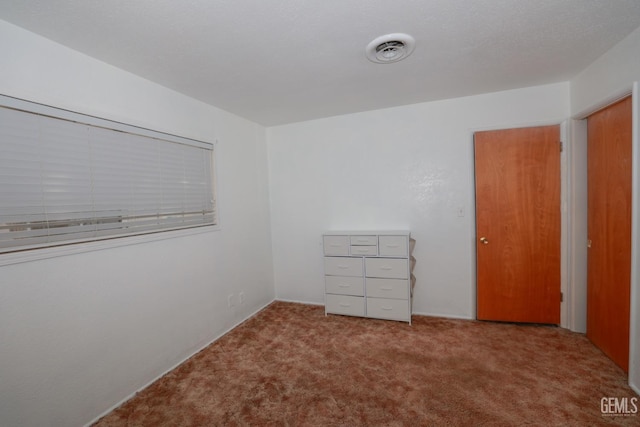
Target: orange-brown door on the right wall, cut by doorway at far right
(609, 230)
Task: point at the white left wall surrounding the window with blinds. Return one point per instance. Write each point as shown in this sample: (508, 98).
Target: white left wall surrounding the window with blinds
(80, 333)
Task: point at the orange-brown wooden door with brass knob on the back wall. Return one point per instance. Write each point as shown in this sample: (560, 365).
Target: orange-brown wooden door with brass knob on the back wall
(518, 219)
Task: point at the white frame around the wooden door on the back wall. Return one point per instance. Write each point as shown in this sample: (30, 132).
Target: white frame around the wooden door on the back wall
(565, 304)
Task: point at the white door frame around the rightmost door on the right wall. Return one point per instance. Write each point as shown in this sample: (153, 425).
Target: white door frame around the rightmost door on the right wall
(578, 210)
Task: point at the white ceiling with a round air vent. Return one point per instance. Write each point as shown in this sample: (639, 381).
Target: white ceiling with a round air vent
(283, 61)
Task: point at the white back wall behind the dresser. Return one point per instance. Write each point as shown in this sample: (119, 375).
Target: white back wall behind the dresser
(409, 167)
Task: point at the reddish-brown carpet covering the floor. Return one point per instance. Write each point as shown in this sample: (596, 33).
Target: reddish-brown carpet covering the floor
(290, 365)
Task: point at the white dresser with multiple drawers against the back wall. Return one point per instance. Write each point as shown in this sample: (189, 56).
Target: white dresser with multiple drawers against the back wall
(369, 274)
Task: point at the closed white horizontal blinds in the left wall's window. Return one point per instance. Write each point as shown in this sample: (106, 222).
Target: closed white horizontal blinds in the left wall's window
(64, 181)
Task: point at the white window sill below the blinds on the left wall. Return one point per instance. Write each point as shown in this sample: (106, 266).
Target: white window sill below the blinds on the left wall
(77, 248)
